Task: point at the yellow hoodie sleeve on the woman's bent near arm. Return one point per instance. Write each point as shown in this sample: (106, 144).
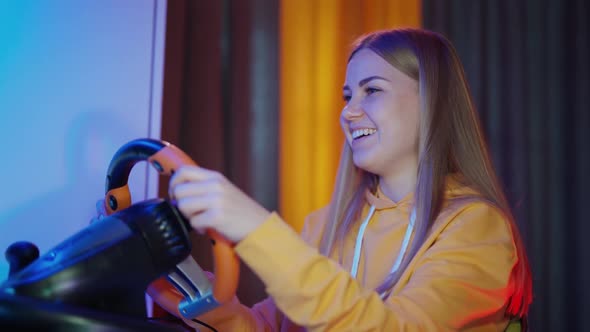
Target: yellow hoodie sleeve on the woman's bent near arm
(460, 282)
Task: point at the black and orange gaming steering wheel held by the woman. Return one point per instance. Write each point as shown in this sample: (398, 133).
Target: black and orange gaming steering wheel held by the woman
(185, 292)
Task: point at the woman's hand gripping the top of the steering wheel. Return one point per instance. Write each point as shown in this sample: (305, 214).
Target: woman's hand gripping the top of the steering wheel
(209, 200)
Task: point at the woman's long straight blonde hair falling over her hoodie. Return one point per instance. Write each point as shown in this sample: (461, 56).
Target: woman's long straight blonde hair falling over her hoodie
(450, 141)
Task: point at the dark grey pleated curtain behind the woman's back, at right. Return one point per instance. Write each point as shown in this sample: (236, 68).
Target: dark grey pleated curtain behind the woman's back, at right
(527, 65)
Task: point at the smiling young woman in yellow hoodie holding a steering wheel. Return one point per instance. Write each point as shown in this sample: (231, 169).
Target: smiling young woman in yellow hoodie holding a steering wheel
(418, 235)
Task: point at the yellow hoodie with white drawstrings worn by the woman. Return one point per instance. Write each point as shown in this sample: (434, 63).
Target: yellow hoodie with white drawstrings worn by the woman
(458, 280)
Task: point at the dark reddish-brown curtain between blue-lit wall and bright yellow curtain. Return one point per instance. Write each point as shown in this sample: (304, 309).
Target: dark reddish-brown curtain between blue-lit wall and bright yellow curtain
(220, 101)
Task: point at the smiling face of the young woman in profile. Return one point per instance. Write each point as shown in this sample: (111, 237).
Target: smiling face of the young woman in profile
(381, 116)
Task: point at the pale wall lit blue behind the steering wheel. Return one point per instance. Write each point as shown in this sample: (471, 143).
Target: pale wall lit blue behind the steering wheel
(78, 80)
